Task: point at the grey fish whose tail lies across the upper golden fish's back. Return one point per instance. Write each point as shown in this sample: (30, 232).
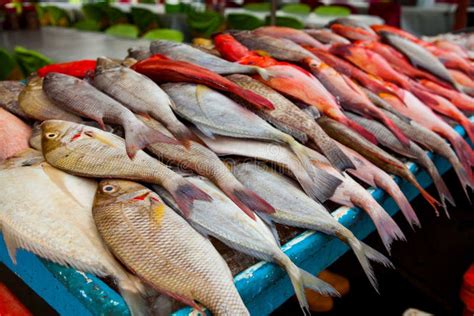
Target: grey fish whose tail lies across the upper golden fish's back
(82, 98)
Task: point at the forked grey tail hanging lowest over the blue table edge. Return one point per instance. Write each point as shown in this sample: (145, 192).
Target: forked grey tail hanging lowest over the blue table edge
(301, 279)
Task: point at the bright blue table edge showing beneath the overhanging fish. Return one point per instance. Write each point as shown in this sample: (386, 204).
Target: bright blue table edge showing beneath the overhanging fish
(263, 287)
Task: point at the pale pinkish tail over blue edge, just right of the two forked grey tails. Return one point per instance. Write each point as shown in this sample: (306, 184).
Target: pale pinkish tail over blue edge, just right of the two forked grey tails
(386, 227)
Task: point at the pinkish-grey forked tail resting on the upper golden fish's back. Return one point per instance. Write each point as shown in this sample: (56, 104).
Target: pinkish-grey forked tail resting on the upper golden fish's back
(136, 139)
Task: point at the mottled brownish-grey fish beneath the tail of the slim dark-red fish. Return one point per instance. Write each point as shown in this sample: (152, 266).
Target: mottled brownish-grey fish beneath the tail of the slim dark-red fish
(292, 120)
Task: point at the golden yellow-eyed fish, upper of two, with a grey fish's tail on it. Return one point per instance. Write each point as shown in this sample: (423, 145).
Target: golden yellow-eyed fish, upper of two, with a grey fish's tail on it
(90, 152)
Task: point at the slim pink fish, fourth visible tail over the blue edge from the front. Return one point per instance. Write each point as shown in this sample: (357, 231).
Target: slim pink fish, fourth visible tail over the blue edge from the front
(376, 177)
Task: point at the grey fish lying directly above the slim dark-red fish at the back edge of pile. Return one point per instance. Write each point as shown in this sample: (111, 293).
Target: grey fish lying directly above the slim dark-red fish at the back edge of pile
(187, 53)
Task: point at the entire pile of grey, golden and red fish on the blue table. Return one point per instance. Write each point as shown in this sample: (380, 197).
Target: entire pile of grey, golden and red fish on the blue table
(126, 171)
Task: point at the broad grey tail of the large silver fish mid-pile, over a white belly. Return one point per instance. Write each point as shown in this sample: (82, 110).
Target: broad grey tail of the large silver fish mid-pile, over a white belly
(324, 184)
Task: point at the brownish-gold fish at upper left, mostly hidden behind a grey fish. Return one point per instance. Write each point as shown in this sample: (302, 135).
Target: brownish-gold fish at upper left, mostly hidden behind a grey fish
(36, 104)
